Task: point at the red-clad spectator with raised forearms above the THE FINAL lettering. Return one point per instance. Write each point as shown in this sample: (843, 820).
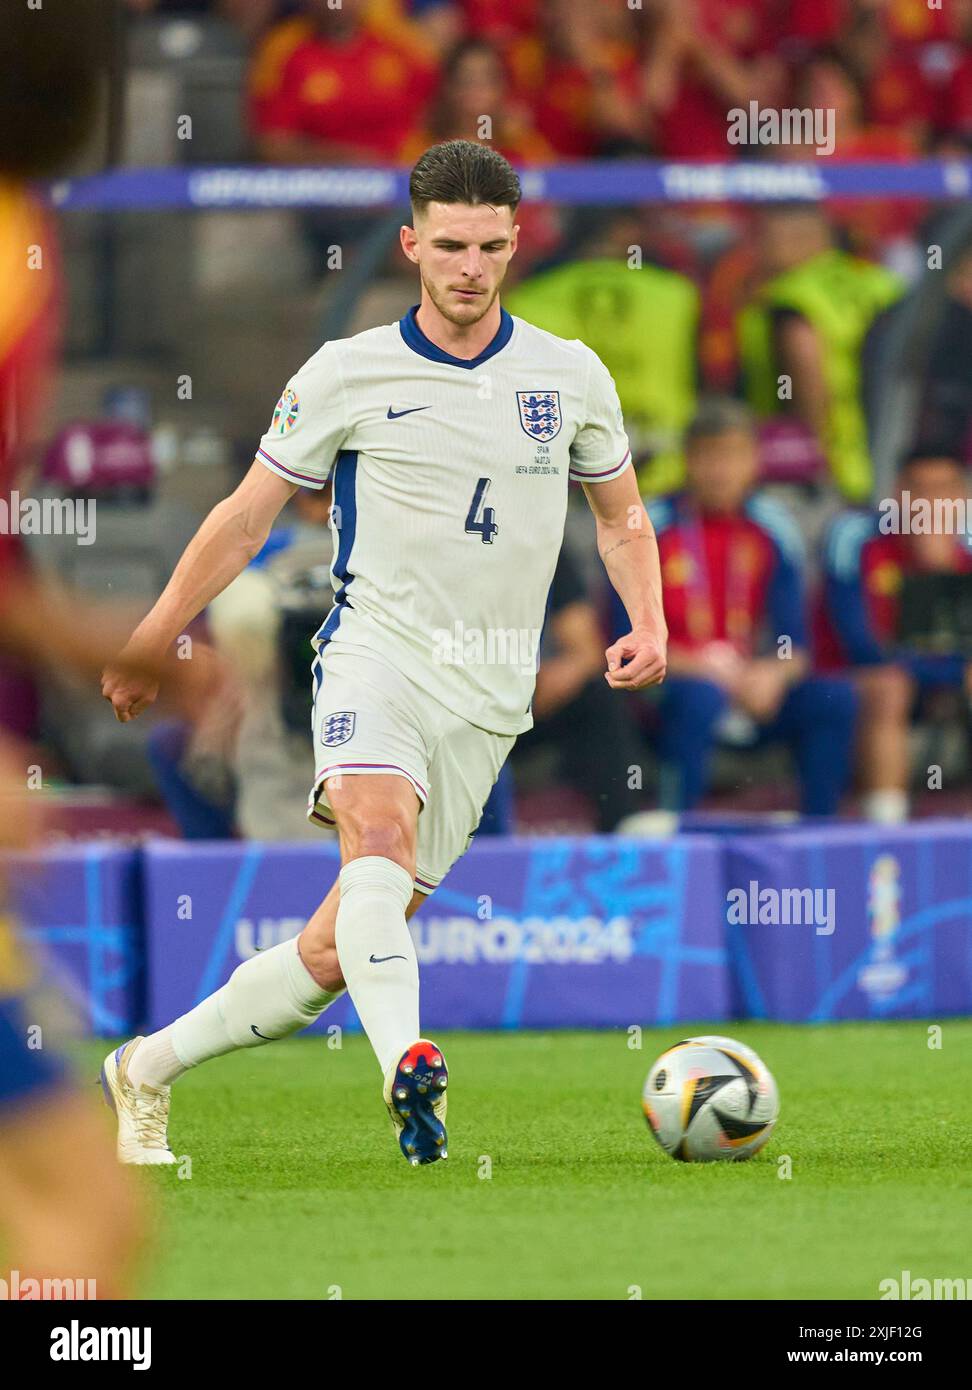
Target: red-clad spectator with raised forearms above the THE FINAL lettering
(704, 59)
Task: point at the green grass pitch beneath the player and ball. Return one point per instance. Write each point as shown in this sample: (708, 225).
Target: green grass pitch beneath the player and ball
(298, 1189)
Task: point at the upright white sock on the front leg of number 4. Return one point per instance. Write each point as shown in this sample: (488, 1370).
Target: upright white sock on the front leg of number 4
(378, 954)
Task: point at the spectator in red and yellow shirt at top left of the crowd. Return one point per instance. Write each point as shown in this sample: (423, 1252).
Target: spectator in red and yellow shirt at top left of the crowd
(332, 87)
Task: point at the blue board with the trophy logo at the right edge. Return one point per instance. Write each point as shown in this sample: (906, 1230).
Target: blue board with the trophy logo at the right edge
(852, 922)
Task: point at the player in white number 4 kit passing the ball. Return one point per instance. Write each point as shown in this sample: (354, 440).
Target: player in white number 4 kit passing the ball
(451, 437)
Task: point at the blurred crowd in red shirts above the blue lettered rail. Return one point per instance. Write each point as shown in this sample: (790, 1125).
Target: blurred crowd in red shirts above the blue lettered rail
(594, 79)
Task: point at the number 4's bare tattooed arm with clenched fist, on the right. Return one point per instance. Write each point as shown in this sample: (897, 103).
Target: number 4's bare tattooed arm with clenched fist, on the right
(629, 550)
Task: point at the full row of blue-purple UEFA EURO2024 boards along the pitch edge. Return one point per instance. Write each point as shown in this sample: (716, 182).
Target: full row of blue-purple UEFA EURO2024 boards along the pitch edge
(807, 924)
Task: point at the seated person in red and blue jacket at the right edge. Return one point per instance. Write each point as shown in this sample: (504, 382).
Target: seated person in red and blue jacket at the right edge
(900, 662)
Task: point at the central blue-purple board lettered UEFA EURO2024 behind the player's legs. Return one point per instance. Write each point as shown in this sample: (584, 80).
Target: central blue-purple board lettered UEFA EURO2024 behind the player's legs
(547, 933)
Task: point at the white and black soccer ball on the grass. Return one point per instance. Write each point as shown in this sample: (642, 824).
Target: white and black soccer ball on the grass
(711, 1099)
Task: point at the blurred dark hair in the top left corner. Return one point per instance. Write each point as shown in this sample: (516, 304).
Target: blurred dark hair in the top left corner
(54, 62)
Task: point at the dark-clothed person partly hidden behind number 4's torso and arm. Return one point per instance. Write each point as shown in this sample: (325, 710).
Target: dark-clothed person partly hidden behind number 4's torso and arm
(594, 733)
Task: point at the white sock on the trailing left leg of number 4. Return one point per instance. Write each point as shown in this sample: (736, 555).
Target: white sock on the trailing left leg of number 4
(266, 999)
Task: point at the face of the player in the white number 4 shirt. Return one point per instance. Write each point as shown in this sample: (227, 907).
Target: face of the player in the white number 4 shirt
(462, 254)
